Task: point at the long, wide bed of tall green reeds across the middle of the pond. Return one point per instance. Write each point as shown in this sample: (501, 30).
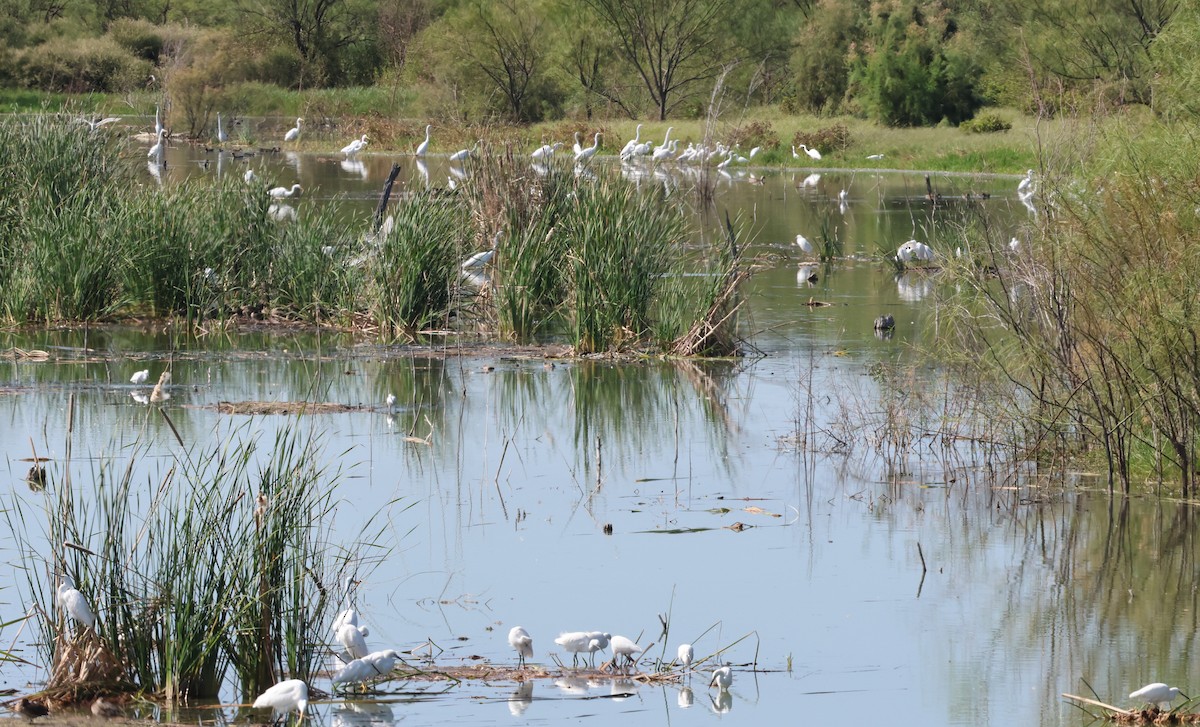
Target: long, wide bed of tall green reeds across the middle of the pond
(598, 262)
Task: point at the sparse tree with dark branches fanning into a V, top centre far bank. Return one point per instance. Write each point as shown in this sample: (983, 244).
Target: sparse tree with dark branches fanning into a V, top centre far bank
(674, 45)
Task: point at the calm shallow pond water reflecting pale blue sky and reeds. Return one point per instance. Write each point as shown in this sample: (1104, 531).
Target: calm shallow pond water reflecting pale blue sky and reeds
(1027, 590)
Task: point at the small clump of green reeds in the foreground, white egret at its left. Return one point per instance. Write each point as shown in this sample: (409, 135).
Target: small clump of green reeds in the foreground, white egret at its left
(211, 573)
